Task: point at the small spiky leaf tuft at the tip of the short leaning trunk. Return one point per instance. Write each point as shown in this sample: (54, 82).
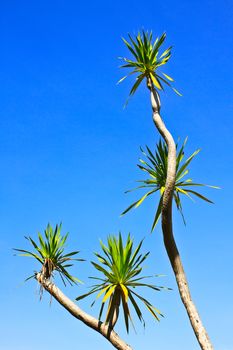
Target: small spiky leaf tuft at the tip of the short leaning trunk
(49, 251)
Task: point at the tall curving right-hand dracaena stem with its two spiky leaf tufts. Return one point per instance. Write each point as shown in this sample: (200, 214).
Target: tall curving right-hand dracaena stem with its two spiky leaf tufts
(146, 63)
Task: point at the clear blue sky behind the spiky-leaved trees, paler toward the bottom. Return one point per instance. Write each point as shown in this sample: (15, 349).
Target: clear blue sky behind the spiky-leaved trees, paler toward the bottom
(69, 150)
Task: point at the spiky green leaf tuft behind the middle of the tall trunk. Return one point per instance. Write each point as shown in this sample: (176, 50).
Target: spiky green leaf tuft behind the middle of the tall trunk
(155, 166)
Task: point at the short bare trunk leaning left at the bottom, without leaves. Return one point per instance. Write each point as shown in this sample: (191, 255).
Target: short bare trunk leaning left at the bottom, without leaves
(75, 311)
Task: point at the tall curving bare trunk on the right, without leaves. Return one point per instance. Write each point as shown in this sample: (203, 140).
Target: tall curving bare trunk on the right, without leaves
(169, 241)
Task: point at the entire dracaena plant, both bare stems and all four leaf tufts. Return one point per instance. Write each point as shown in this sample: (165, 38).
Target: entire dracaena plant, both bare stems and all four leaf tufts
(120, 264)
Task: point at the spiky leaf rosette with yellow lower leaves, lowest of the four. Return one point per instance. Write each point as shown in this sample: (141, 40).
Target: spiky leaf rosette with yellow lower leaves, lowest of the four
(121, 267)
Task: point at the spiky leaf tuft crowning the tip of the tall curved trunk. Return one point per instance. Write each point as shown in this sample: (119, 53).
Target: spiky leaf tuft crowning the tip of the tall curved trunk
(147, 60)
